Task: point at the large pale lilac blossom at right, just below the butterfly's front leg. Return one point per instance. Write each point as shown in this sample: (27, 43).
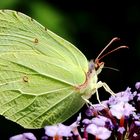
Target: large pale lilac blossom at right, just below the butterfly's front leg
(122, 109)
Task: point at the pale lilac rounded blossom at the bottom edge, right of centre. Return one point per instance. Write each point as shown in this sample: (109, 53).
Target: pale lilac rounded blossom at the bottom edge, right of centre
(99, 132)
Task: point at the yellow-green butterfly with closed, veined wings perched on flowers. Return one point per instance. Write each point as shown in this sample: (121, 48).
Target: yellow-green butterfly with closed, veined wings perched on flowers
(44, 79)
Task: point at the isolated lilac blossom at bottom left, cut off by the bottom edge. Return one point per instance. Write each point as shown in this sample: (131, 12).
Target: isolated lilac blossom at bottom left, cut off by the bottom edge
(24, 136)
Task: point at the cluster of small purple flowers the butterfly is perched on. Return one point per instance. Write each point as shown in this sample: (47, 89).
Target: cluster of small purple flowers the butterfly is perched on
(117, 118)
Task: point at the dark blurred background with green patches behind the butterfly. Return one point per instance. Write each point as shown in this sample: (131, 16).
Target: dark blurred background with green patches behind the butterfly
(90, 25)
